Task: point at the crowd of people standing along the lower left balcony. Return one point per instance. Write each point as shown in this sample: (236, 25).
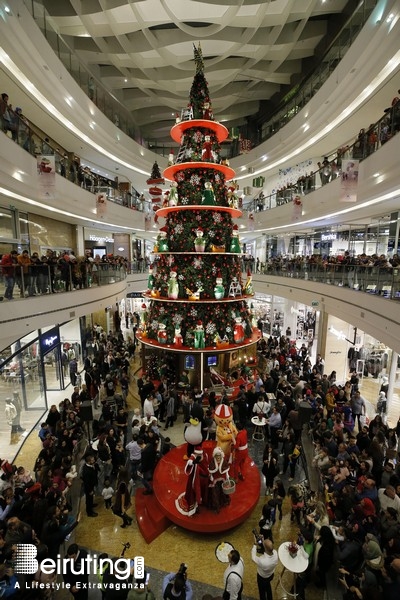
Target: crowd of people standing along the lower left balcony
(53, 272)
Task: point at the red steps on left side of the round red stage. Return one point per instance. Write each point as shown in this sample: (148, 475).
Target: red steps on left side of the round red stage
(149, 516)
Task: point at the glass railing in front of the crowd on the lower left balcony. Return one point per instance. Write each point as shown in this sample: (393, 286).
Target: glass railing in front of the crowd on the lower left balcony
(39, 279)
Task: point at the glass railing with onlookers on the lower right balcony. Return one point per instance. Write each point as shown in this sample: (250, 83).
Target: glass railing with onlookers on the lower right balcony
(380, 281)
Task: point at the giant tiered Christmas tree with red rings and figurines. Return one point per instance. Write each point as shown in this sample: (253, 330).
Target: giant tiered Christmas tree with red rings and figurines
(197, 313)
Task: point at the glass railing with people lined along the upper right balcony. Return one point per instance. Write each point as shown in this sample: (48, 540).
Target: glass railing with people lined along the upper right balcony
(367, 143)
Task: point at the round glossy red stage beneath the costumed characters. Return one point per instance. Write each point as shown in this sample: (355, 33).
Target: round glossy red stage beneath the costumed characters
(170, 481)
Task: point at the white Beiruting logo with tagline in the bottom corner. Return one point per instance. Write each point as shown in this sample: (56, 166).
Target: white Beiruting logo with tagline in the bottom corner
(25, 562)
